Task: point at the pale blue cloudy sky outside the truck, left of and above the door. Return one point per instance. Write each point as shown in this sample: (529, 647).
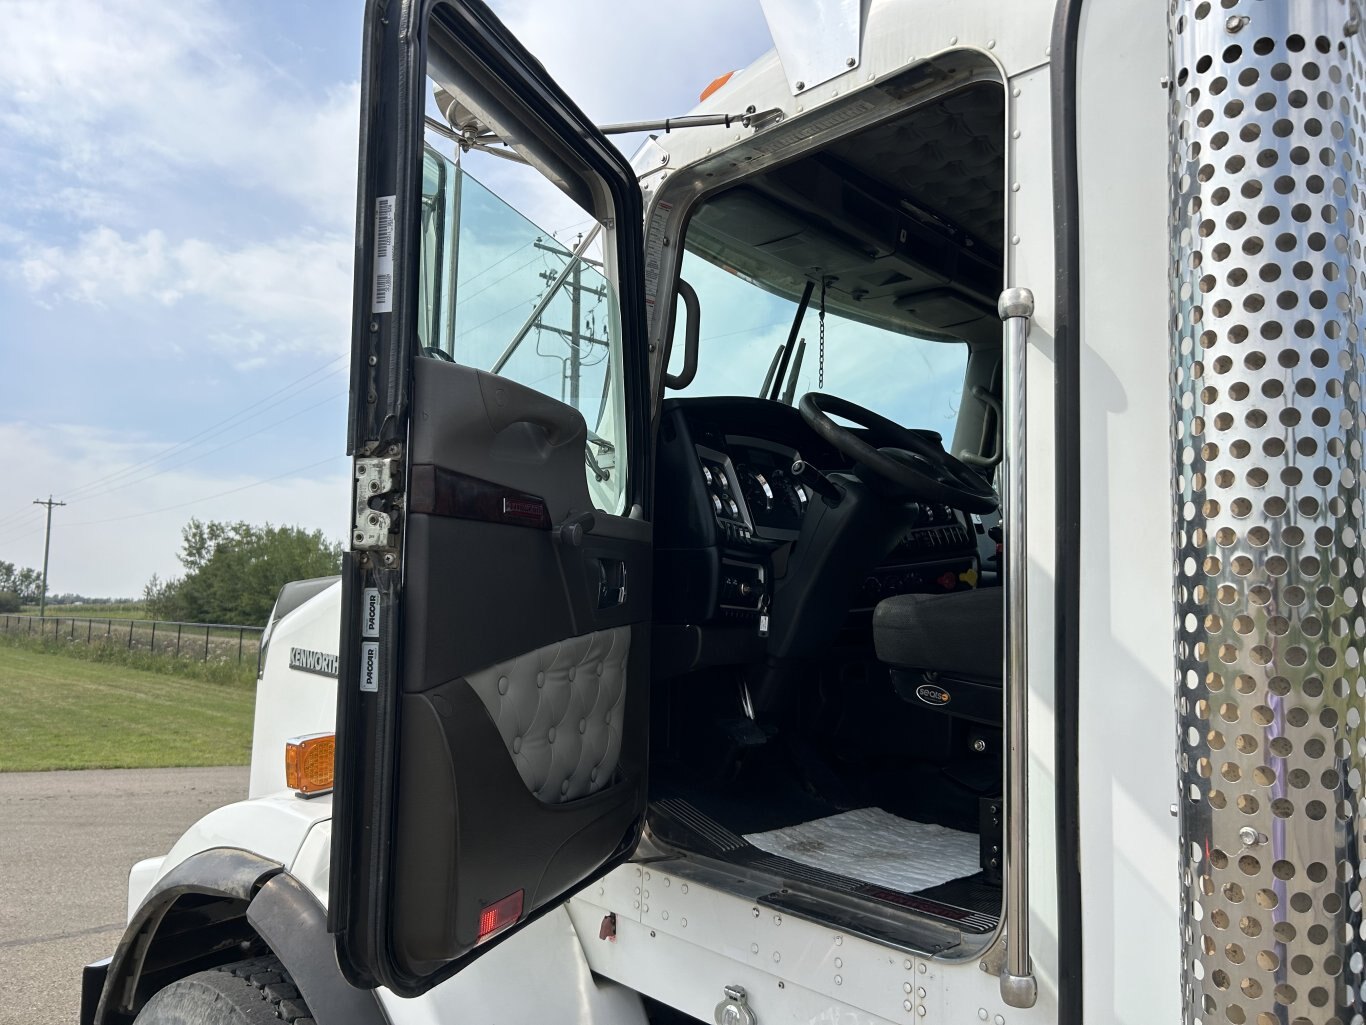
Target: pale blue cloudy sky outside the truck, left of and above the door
(176, 252)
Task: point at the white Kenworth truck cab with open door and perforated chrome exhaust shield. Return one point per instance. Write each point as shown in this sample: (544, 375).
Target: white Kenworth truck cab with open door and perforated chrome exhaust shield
(889, 553)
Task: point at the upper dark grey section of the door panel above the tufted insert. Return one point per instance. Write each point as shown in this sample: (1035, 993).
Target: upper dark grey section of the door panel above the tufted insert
(497, 568)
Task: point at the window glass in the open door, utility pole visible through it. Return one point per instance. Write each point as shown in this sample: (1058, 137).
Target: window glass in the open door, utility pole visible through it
(503, 295)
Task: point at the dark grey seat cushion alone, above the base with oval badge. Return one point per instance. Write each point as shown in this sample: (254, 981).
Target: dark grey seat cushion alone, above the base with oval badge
(960, 635)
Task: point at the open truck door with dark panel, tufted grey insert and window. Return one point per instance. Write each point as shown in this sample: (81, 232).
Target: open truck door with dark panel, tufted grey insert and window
(495, 633)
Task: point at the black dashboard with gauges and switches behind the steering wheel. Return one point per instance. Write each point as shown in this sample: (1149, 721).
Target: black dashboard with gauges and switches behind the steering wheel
(730, 510)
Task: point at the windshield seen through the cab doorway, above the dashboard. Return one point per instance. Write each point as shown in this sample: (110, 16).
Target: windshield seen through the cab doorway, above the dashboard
(912, 381)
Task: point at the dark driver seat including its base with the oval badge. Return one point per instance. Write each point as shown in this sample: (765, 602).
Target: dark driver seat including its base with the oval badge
(946, 651)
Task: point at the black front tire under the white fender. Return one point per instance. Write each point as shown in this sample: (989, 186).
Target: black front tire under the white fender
(245, 993)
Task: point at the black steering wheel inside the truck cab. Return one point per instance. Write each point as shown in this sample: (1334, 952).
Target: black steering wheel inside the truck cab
(904, 459)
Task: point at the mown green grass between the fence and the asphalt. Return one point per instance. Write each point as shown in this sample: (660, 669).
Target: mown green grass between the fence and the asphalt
(69, 713)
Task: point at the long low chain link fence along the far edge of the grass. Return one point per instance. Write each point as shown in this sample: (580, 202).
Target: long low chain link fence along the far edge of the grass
(200, 642)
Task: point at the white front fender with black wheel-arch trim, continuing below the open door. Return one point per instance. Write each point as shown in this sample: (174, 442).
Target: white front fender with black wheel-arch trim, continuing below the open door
(257, 873)
